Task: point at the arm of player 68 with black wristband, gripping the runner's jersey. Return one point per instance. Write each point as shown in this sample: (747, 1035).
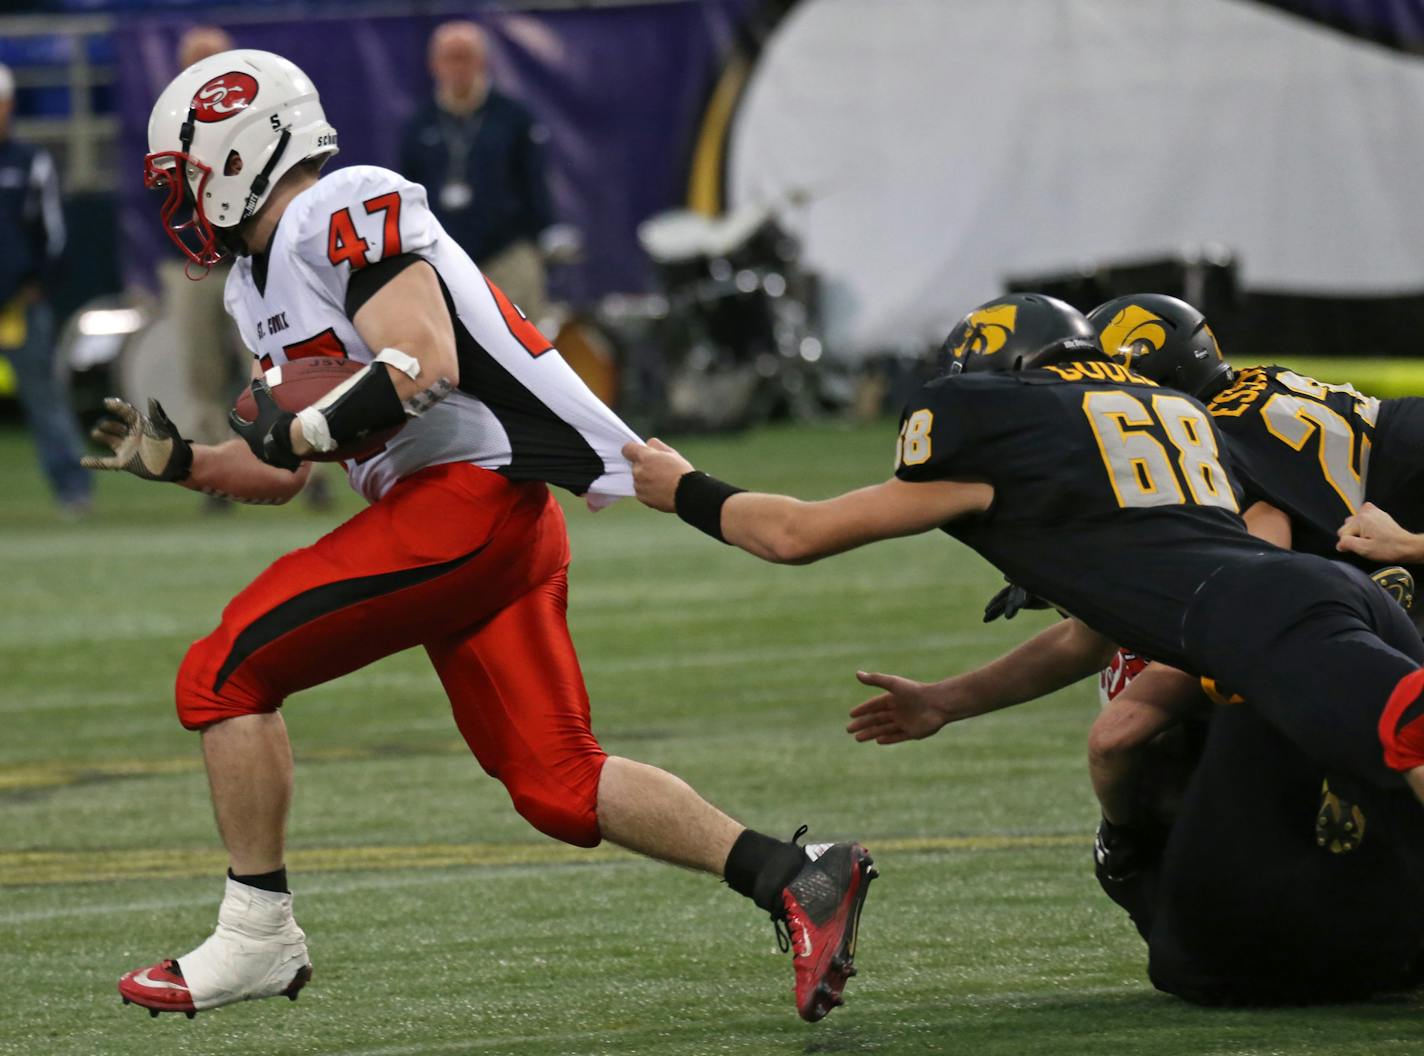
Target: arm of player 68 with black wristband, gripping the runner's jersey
(787, 530)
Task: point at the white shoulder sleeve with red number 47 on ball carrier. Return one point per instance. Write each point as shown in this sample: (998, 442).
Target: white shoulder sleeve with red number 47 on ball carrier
(358, 218)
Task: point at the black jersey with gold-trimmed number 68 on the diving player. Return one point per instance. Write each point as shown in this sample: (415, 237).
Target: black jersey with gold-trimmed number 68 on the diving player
(1113, 497)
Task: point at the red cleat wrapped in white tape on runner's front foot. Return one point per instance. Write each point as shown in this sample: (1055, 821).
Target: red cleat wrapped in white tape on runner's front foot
(257, 951)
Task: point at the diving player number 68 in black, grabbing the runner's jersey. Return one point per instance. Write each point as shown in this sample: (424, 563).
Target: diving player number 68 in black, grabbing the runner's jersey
(1096, 489)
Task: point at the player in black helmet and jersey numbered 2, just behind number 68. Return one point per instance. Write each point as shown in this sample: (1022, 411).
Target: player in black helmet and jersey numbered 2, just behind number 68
(1307, 455)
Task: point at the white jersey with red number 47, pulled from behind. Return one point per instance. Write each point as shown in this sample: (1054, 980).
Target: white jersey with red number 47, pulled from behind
(520, 409)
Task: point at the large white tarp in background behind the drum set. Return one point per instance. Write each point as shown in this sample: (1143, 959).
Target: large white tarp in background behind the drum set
(946, 144)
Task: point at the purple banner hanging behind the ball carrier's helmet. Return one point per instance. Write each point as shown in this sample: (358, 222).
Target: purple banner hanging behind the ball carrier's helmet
(620, 89)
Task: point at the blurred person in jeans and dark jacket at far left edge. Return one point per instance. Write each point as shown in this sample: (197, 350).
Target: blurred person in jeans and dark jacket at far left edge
(32, 236)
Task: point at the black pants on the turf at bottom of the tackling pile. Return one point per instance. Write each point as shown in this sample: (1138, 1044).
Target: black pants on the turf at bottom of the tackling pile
(1244, 909)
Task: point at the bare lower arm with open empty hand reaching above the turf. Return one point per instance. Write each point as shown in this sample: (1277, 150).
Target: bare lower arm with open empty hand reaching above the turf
(1054, 658)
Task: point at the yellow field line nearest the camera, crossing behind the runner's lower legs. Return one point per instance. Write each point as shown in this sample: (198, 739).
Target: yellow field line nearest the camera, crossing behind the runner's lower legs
(83, 867)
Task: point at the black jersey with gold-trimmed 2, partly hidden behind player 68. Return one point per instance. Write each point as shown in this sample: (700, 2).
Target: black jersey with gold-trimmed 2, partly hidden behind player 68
(1302, 446)
